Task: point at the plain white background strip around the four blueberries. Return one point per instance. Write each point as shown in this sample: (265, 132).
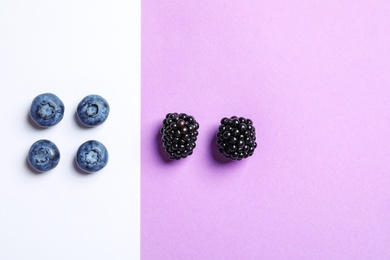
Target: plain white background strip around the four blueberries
(72, 49)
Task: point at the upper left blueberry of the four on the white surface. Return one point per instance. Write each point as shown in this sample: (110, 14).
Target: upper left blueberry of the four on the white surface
(47, 110)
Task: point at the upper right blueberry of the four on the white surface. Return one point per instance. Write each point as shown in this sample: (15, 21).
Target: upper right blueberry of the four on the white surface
(93, 110)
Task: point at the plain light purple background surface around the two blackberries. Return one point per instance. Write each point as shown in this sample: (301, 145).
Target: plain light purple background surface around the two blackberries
(314, 77)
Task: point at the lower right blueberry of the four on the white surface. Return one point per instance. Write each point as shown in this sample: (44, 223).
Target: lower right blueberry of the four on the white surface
(92, 156)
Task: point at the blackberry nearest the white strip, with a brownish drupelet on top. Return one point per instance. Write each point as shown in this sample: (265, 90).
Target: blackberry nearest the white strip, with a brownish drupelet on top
(179, 134)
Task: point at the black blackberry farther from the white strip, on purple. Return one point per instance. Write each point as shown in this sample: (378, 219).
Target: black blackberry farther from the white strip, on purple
(236, 138)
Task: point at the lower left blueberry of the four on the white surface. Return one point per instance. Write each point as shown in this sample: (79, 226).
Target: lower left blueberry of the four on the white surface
(43, 155)
